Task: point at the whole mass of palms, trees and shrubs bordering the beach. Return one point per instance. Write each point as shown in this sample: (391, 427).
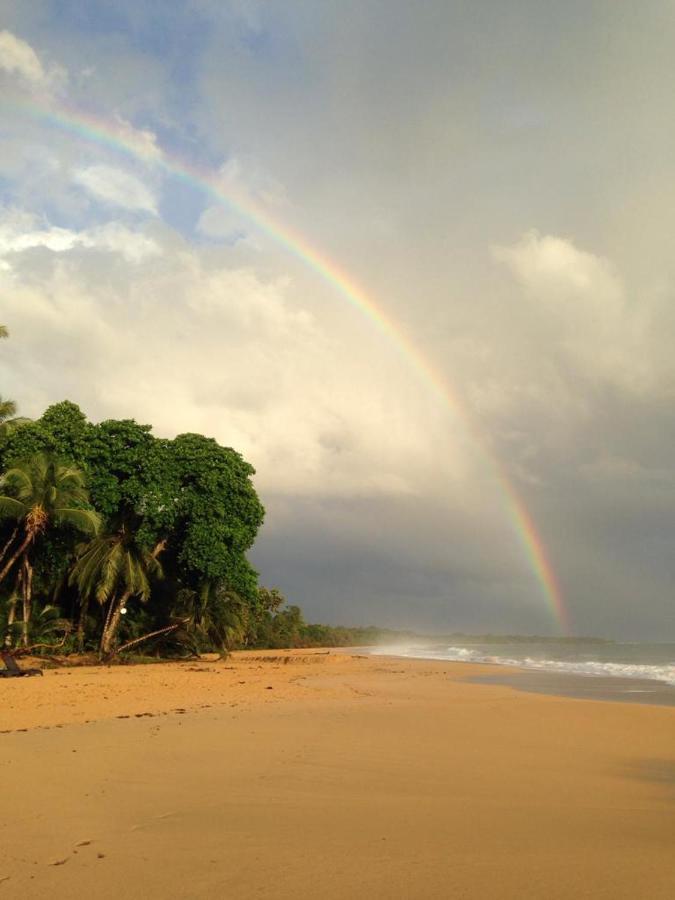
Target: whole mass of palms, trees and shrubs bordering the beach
(111, 538)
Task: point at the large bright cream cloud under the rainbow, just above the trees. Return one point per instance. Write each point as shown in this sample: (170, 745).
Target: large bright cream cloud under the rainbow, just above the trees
(220, 351)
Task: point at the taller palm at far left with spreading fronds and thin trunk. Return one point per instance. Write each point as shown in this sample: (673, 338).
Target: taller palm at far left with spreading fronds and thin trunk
(39, 493)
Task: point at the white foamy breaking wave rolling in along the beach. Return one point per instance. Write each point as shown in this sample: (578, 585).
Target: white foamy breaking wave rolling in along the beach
(597, 668)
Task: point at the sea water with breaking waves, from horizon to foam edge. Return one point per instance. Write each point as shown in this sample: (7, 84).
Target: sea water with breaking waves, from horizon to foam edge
(644, 661)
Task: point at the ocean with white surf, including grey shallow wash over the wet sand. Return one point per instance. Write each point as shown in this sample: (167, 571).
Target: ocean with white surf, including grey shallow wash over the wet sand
(641, 672)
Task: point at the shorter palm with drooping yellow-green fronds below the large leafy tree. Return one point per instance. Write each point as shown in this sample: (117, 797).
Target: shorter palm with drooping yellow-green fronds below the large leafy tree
(113, 569)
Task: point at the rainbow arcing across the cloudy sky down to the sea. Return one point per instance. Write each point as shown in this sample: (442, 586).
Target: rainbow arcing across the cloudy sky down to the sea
(119, 136)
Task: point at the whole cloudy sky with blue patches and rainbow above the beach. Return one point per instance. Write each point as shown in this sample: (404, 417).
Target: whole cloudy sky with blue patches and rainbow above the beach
(498, 182)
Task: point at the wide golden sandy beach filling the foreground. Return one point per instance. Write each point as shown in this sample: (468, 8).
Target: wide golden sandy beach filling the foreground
(316, 775)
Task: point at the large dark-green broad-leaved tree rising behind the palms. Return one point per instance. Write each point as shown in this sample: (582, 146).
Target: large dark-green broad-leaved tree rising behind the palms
(190, 495)
